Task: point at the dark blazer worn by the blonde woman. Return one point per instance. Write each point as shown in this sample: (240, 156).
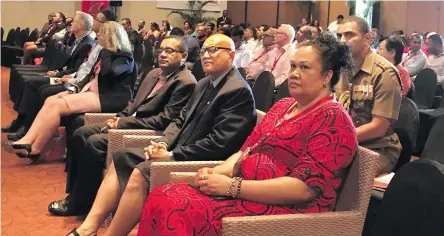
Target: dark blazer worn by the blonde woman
(115, 80)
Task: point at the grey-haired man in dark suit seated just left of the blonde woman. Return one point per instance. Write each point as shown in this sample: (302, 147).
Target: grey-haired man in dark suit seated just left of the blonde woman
(28, 102)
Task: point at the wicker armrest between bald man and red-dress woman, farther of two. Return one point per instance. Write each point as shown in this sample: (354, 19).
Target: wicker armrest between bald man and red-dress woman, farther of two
(160, 171)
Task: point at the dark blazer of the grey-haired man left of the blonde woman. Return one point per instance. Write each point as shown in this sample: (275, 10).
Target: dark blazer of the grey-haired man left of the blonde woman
(77, 56)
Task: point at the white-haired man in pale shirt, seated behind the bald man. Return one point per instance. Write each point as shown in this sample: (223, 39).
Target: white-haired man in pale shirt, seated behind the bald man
(279, 63)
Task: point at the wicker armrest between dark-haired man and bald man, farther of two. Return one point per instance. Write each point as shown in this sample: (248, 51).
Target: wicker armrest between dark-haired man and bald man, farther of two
(115, 139)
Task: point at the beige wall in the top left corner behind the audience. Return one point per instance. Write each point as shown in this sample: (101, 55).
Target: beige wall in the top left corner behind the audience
(32, 14)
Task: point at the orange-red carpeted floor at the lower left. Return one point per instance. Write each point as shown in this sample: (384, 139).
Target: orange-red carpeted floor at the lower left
(26, 189)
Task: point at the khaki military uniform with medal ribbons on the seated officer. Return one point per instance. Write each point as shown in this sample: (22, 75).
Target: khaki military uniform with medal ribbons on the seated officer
(374, 90)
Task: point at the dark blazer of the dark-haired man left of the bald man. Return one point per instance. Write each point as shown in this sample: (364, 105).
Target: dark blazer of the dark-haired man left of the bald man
(158, 111)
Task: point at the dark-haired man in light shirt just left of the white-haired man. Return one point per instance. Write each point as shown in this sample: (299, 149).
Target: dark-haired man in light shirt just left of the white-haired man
(262, 55)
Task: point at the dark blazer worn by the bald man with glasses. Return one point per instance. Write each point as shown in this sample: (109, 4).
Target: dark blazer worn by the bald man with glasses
(222, 126)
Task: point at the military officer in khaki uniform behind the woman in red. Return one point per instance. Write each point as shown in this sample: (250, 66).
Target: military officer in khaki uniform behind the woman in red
(372, 95)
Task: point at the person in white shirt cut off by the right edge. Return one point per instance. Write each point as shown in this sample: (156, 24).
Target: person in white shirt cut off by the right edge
(436, 59)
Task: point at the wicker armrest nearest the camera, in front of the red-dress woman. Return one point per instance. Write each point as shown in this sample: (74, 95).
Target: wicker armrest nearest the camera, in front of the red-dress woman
(348, 223)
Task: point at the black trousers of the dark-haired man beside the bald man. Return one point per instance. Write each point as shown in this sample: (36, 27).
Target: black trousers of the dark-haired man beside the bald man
(88, 160)
